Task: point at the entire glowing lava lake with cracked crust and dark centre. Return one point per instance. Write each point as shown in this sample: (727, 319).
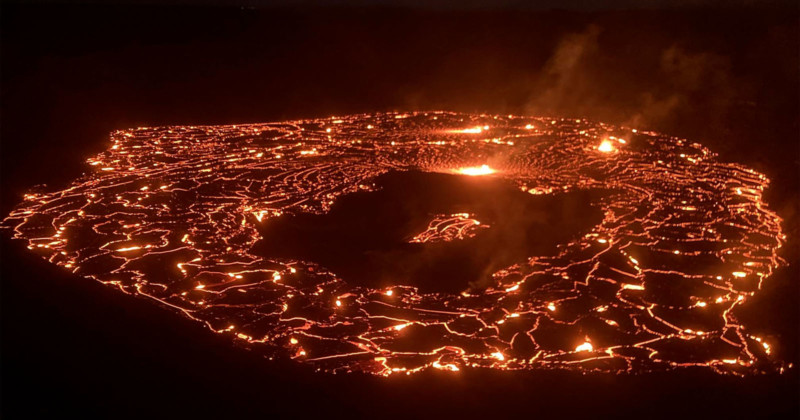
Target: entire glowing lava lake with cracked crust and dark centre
(390, 243)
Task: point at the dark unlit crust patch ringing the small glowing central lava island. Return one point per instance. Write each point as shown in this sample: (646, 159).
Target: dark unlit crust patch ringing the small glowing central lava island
(364, 238)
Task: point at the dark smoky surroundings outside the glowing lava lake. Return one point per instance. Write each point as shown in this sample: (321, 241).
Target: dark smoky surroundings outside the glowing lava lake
(721, 73)
